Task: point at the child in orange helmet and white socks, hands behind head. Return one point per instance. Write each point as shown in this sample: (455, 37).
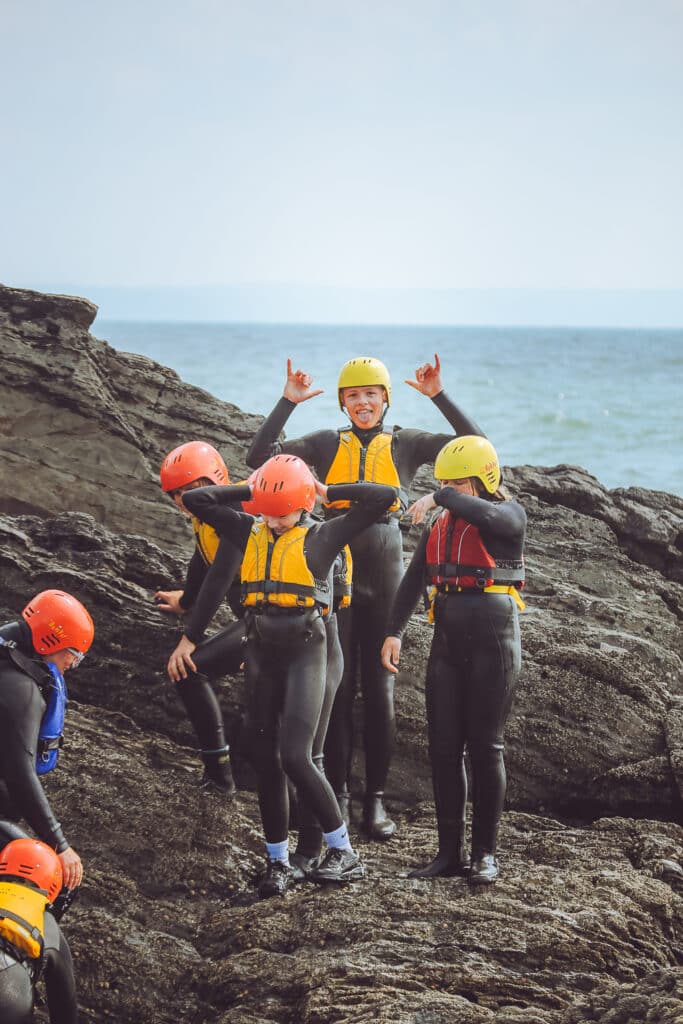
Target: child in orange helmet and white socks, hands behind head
(287, 590)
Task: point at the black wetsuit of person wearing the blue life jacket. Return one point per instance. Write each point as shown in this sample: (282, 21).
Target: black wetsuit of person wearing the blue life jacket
(23, 673)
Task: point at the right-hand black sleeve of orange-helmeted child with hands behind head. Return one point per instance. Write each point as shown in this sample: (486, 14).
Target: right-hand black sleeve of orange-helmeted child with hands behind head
(371, 501)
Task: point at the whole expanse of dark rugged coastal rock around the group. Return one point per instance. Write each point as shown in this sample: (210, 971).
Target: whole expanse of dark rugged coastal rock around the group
(586, 922)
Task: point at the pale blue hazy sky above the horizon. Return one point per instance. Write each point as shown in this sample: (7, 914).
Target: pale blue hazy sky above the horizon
(372, 145)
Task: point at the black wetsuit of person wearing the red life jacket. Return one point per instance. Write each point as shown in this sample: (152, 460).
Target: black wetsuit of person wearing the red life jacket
(473, 672)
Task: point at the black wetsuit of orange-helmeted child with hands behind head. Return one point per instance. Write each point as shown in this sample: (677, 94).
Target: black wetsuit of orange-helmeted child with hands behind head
(286, 656)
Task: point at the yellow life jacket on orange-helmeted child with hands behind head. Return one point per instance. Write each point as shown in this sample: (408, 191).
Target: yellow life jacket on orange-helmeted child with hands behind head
(275, 572)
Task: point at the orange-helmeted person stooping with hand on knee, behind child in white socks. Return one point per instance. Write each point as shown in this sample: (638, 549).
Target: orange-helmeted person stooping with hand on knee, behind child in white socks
(210, 573)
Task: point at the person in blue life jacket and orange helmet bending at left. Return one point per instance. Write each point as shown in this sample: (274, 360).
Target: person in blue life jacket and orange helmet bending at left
(53, 636)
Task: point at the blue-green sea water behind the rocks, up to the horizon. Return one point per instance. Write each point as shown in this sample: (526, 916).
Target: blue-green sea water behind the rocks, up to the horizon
(610, 401)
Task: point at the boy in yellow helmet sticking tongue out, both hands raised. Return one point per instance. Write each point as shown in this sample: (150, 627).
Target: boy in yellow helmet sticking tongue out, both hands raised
(365, 451)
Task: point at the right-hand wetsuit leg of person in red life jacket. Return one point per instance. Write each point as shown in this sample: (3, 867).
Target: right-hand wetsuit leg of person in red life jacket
(496, 662)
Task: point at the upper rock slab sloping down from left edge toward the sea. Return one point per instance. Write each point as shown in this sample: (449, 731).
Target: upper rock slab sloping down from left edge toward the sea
(86, 428)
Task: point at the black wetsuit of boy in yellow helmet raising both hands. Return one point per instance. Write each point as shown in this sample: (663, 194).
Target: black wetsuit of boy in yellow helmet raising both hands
(378, 568)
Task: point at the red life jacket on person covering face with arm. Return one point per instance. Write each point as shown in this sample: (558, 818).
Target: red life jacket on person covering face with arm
(458, 558)
